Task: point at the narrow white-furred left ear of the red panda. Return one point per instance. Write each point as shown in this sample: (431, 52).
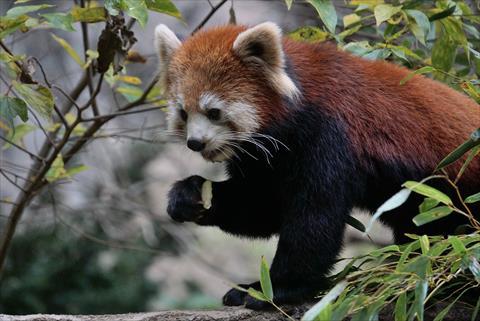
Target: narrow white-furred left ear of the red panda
(166, 43)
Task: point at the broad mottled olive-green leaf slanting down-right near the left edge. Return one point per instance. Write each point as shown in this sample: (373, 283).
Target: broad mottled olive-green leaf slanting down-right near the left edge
(38, 97)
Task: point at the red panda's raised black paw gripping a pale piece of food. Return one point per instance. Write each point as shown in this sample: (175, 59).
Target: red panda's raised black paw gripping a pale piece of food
(185, 200)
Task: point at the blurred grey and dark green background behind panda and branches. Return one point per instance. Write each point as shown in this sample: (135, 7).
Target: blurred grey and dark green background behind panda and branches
(102, 242)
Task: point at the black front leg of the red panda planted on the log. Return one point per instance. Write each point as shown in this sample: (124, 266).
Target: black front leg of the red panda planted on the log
(308, 246)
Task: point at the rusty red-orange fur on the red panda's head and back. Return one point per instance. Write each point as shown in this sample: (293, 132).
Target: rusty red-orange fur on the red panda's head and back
(417, 123)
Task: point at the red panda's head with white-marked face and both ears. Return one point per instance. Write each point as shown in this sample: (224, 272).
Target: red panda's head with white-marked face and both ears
(223, 84)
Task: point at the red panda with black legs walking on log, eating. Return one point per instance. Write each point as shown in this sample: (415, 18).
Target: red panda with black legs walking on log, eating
(307, 133)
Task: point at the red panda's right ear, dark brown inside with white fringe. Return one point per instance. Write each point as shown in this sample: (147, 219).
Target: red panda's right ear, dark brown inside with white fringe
(262, 45)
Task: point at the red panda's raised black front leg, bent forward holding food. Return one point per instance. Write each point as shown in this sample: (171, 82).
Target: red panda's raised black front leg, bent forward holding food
(237, 207)
